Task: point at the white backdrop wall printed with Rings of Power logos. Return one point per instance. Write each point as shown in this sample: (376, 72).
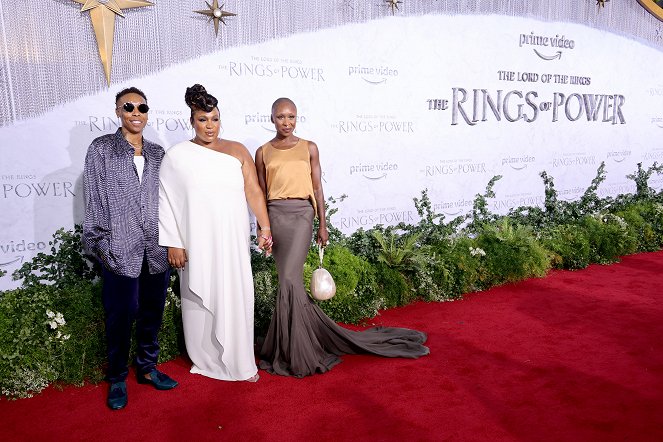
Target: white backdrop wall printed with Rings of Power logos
(396, 105)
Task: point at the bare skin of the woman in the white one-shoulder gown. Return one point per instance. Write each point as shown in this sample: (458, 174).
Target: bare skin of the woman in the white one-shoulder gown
(207, 126)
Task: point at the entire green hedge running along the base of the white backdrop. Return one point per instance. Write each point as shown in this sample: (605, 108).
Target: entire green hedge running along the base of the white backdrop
(51, 328)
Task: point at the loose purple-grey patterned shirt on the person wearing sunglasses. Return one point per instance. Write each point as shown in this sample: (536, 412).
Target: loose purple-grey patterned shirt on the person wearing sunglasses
(122, 212)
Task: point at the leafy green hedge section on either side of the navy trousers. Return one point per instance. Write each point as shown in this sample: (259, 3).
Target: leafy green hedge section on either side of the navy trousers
(52, 328)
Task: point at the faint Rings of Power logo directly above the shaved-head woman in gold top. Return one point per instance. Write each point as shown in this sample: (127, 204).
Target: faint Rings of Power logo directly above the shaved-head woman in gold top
(268, 67)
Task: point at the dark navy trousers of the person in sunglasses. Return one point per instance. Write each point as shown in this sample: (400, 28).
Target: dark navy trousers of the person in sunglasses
(127, 300)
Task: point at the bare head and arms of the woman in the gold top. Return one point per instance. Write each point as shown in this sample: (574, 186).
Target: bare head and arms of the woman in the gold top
(284, 117)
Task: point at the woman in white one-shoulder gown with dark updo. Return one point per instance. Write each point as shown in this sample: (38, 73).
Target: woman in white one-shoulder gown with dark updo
(205, 185)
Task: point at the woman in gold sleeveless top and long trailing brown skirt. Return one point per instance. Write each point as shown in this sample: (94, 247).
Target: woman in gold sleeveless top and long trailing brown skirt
(301, 339)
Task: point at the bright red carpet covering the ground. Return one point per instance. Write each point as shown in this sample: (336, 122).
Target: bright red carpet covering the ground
(576, 356)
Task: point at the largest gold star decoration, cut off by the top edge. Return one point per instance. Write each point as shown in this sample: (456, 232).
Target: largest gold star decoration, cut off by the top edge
(103, 22)
